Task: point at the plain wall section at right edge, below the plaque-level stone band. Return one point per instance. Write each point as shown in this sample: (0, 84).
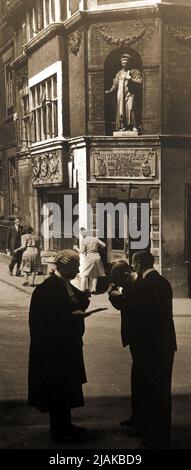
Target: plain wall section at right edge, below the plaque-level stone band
(176, 172)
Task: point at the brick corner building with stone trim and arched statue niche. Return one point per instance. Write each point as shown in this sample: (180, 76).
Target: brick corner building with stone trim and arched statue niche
(56, 125)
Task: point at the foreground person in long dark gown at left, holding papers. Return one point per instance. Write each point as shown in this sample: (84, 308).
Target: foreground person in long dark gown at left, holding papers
(56, 364)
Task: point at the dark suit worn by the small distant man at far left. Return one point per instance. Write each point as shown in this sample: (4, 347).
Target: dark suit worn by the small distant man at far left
(13, 242)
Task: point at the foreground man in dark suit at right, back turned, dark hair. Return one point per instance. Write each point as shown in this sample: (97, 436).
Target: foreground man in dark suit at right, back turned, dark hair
(152, 341)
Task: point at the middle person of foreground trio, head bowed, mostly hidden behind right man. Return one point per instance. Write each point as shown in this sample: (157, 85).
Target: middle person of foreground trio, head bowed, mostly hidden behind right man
(122, 284)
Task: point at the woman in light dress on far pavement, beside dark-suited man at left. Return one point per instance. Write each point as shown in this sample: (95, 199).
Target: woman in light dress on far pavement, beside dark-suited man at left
(30, 255)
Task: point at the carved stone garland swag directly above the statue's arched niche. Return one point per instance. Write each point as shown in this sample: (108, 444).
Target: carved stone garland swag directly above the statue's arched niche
(137, 31)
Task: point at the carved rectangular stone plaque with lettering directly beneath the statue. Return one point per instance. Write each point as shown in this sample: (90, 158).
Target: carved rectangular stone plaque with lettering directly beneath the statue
(131, 163)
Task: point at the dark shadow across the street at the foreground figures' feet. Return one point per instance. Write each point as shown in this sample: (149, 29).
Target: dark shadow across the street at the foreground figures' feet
(23, 427)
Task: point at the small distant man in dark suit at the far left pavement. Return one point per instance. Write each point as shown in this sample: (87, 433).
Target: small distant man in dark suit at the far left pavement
(13, 242)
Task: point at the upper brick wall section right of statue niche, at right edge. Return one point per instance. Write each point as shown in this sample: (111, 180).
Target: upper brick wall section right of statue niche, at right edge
(176, 83)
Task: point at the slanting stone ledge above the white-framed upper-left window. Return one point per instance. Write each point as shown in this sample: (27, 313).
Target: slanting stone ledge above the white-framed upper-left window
(42, 37)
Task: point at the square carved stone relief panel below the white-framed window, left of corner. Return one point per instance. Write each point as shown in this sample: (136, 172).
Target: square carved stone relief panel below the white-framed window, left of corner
(47, 168)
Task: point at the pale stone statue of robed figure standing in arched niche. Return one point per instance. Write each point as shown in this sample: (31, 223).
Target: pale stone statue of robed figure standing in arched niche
(128, 83)
